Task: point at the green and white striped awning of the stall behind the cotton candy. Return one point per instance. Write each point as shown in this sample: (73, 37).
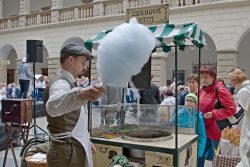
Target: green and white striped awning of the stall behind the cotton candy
(168, 35)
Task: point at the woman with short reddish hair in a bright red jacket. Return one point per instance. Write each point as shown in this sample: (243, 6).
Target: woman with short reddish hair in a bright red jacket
(208, 99)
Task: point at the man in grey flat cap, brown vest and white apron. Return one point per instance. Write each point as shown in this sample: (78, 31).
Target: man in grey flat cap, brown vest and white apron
(66, 110)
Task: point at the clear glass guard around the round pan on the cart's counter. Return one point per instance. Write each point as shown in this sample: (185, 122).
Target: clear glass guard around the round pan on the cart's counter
(146, 123)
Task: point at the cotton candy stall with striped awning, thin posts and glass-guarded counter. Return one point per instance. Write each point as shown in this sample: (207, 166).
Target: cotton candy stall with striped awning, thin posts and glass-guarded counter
(178, 150)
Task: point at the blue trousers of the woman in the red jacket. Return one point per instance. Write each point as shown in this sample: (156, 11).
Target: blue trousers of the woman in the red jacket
(210, 145)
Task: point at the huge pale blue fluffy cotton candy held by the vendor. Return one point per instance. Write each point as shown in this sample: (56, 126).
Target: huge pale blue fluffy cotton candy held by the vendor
(123, 52)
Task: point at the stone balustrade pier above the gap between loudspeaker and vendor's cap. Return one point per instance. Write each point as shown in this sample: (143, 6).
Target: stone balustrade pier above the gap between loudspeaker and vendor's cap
(55, 14)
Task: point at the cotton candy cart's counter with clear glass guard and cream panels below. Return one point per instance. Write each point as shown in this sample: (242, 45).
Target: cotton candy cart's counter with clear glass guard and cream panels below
(144, 133)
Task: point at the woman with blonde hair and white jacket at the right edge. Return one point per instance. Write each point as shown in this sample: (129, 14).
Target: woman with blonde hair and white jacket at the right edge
(239, 80)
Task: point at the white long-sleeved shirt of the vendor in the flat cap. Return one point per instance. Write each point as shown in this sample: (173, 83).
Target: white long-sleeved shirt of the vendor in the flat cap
(63, 99)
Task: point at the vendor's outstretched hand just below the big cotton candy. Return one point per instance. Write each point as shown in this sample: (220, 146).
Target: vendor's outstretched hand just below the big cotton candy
(92, 93)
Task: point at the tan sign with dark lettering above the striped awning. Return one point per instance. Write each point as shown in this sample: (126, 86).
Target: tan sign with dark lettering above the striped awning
(153, 14)
